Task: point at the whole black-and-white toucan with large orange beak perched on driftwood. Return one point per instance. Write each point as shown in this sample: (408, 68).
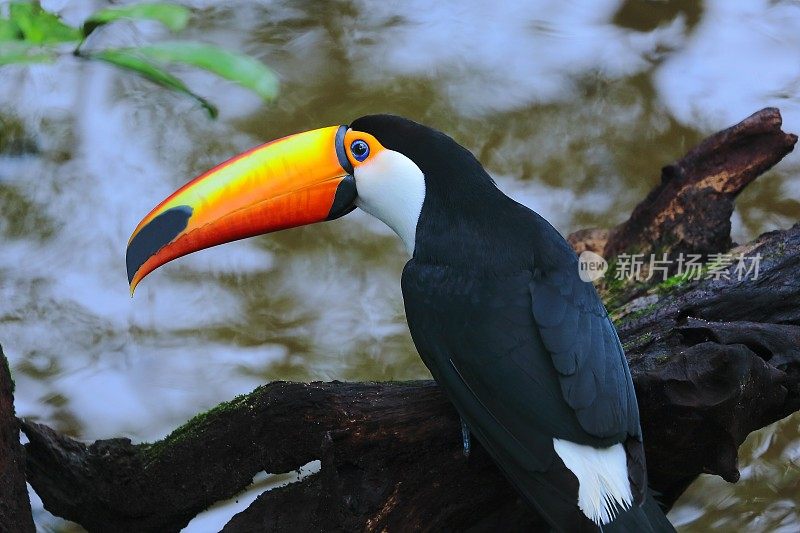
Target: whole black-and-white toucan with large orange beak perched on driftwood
(523, 348)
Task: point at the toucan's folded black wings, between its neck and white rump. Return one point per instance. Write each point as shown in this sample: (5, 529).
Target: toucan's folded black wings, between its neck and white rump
(525, 358)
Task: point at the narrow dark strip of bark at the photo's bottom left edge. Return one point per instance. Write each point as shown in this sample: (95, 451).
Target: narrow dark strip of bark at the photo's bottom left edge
(15, 508)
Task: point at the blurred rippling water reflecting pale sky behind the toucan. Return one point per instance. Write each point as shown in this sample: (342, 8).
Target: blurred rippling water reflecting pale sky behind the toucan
(572, 106)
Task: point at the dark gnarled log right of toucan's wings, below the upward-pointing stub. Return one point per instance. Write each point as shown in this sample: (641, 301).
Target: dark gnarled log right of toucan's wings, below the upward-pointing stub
(731, 364)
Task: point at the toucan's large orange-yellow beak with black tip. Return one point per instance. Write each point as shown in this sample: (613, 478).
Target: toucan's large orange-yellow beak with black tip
(297, 180)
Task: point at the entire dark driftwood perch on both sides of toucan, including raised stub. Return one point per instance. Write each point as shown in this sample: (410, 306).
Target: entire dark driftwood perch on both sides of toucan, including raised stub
(712, 360)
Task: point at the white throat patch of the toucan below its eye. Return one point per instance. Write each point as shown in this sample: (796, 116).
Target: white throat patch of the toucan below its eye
(391, 187)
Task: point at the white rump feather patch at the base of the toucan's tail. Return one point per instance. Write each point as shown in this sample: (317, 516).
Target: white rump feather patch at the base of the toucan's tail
(603, 486)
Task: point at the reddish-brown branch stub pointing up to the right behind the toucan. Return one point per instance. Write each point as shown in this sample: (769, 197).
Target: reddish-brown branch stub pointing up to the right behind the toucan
(690, 210)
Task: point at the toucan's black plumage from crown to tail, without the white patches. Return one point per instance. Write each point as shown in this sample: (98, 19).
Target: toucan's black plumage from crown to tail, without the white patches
(524, 349)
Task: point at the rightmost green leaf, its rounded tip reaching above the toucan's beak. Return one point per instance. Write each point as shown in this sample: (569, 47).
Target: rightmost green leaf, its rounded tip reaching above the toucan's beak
(238, 68)
